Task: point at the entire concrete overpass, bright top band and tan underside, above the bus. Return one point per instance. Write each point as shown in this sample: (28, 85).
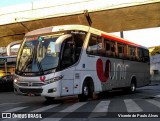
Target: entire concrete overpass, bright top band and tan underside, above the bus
(15, 21)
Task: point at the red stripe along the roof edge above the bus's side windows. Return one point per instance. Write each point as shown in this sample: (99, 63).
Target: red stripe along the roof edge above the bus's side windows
(119, 40)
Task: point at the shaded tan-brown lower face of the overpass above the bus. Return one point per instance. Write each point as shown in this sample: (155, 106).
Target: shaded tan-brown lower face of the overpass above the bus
(129, 18)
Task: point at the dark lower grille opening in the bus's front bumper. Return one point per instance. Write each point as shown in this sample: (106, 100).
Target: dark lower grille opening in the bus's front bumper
(32, 91)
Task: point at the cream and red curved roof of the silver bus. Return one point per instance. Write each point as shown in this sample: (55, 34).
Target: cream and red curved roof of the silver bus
(82, 28)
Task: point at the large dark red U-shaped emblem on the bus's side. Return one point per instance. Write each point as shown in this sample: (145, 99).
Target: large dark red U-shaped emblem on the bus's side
(103, 75)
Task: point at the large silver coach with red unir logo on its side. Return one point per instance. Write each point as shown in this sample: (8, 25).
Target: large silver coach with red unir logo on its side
(78, 60)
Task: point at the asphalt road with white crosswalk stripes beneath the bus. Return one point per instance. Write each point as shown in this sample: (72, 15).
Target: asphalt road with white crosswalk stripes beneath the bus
(116, 105)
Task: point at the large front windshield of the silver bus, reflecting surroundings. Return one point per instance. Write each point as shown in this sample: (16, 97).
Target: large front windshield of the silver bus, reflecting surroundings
(38, 54)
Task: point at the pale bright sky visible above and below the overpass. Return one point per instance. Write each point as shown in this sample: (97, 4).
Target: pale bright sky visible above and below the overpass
(146, 37)
